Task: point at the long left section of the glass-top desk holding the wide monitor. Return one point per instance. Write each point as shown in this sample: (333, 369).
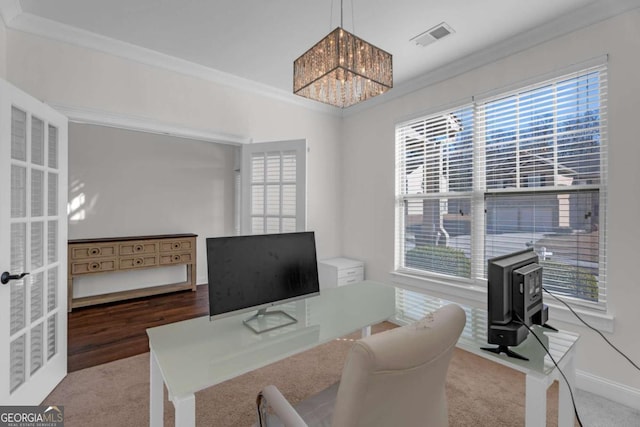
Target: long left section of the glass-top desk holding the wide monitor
(194, 354)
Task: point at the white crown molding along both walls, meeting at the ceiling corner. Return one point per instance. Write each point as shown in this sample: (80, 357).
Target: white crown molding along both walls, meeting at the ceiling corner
(596, 11)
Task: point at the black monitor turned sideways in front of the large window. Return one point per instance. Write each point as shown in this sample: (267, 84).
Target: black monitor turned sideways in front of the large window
(514, 299)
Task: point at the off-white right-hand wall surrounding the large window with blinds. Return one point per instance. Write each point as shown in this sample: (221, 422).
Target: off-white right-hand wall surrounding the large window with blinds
(368, 196)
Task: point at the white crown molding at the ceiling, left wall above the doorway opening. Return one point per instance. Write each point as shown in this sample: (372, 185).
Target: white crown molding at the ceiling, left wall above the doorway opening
(47, 28)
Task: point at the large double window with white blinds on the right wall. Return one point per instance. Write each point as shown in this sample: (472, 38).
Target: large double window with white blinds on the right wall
(523, 169)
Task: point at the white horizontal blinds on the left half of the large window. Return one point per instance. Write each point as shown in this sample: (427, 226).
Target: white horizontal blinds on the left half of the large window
(434, 160)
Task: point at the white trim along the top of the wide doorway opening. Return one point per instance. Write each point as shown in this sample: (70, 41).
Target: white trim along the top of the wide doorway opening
(142, 124)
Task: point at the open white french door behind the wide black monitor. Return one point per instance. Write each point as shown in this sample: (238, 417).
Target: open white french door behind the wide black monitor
(273, 180)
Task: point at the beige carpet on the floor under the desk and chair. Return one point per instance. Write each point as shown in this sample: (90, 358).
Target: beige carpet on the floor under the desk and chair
(480, 392)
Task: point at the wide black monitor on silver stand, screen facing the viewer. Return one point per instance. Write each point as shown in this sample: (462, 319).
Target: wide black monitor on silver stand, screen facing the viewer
(259, 271)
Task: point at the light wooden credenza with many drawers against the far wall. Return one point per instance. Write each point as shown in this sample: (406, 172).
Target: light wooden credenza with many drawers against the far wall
(105, 255)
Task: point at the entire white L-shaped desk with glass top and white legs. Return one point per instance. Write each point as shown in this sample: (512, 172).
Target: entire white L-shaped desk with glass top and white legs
(192, 355)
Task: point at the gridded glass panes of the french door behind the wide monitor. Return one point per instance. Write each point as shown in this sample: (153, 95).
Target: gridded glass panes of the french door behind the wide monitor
(273, 192)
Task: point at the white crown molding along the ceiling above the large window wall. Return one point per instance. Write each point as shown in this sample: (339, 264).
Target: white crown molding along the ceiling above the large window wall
(591, 14)
